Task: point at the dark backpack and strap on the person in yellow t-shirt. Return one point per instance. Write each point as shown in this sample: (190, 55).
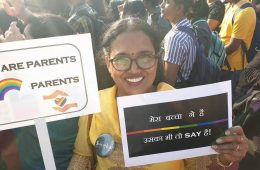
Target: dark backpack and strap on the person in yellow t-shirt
(255, 44)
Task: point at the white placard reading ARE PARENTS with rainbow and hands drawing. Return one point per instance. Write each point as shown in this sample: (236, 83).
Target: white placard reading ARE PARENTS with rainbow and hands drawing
(52, 78)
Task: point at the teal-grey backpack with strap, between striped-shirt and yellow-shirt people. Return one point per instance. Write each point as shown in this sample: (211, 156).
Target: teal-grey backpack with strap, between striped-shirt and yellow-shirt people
(217, 52)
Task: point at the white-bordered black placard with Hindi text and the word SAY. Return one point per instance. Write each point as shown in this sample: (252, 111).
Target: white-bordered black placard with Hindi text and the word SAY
(173, 125)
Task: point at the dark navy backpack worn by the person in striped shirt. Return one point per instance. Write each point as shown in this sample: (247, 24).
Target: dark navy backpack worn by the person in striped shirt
(204, 71)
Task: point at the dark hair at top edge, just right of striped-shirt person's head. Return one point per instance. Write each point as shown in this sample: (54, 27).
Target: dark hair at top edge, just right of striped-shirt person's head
(200, 9)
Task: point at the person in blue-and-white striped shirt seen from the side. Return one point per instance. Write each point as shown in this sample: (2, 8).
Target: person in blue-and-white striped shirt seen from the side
(179, 47)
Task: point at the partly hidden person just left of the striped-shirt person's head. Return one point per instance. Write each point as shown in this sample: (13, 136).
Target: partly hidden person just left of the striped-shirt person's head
(155, 19)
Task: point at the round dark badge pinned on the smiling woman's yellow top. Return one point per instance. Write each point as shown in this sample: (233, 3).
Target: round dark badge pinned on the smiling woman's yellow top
(105, 145)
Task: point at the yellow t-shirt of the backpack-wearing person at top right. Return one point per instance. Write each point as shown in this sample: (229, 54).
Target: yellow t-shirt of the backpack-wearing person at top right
(242, 28)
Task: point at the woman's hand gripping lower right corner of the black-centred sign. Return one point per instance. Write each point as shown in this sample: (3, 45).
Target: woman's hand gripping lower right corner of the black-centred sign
(233, 146)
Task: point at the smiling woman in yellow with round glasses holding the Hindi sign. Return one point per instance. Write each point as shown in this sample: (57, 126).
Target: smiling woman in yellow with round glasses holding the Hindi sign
(131, 50)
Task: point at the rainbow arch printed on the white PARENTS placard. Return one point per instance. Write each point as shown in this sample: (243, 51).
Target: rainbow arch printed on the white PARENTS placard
(9, 84)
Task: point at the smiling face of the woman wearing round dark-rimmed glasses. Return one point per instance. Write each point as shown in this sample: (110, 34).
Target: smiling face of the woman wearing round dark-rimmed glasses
(132, 45)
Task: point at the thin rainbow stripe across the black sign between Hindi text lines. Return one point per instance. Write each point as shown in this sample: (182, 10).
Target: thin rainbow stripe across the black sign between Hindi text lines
(178, 127)
